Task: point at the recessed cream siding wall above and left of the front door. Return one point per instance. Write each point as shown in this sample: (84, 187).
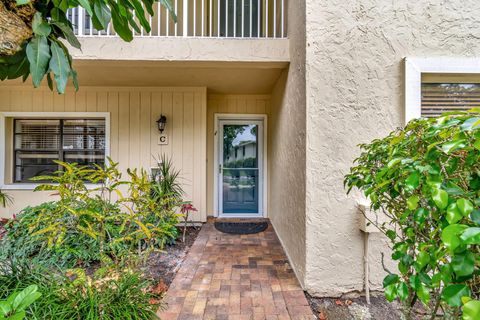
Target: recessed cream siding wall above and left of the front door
(228, 103)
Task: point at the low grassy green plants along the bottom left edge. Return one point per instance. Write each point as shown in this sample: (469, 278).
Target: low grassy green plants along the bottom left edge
(110, 293)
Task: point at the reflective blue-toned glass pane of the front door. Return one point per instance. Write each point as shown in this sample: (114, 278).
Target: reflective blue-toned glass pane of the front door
(240, 169)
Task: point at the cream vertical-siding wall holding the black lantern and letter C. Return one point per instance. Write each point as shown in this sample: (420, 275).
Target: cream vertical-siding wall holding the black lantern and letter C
(133, 130)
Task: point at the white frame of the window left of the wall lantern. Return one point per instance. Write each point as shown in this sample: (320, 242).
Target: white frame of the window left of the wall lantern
(44, 115)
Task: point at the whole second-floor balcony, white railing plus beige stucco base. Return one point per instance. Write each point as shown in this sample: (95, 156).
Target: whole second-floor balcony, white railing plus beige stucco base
(205, 31)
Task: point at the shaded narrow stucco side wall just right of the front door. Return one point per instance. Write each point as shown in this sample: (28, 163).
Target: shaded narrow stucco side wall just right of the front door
(287, 147)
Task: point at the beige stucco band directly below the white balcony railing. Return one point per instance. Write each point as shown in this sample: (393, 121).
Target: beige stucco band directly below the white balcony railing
(183, 49)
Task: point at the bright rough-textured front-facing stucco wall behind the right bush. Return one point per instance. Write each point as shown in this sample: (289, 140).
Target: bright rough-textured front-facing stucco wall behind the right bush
(355, 81)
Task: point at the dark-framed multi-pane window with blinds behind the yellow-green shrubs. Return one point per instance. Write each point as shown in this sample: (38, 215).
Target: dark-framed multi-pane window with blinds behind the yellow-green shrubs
(38, 142)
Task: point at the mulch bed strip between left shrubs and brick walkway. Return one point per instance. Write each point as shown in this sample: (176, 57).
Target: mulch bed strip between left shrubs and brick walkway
(163, 266)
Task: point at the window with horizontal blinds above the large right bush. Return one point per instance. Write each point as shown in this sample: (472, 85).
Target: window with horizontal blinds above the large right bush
(438, 98)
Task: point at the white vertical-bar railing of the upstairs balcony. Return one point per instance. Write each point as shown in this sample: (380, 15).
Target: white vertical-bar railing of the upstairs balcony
(204, 18)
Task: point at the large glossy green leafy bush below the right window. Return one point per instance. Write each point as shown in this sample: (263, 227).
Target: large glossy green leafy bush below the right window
(426, 179)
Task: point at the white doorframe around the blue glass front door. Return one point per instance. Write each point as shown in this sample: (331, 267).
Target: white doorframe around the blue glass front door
(235, 116)
